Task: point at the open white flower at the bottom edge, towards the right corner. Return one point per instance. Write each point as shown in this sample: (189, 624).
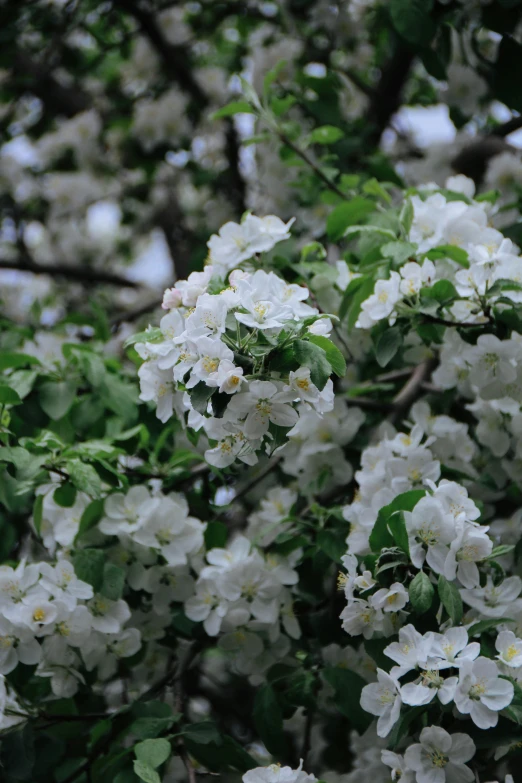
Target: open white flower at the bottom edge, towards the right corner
(440, 756)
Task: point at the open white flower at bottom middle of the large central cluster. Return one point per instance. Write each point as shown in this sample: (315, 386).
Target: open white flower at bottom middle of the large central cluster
(259, 406)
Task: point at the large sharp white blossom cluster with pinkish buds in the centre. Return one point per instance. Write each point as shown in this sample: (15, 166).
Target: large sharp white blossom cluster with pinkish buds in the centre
(224, 357)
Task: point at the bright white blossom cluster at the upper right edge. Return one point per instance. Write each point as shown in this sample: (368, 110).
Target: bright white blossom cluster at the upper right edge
(450, 242)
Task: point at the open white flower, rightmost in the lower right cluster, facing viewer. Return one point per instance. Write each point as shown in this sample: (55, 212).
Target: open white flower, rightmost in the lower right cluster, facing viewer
(481, 693)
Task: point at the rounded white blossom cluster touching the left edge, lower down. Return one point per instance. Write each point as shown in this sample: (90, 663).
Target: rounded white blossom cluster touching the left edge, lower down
(55, 620)
